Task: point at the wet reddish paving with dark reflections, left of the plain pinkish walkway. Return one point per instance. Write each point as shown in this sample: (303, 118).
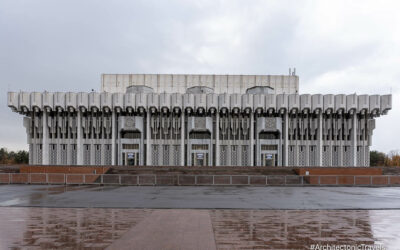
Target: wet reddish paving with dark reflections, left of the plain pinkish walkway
(65, 228)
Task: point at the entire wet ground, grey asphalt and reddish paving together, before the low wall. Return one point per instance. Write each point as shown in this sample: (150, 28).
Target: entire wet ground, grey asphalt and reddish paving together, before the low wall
(95, 217)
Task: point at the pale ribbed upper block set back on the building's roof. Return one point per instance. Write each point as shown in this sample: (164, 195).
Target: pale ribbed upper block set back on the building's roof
(230, 84)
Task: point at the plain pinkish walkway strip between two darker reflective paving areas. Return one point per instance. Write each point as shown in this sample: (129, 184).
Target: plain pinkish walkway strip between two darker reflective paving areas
(170, 229)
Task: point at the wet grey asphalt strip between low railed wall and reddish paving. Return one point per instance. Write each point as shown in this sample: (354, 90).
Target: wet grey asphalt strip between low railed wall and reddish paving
(201, 197)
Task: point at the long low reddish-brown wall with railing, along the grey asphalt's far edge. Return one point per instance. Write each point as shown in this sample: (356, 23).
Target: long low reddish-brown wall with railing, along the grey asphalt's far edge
(198, 180)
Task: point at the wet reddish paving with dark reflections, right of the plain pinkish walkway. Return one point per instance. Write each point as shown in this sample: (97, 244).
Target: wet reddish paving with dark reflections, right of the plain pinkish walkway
(298, 229)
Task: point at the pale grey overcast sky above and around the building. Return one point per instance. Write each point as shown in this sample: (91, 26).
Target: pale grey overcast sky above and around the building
(336, 47)
